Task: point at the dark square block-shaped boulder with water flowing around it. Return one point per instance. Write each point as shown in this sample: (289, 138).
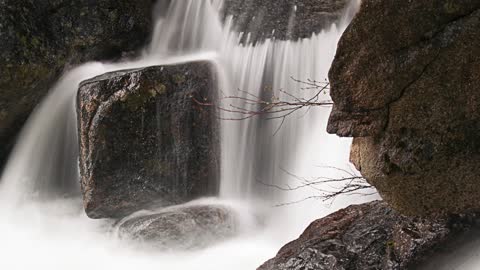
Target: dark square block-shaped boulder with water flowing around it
(144, 141)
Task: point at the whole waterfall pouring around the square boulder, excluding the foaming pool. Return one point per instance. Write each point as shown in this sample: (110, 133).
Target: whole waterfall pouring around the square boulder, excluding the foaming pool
(253, 152)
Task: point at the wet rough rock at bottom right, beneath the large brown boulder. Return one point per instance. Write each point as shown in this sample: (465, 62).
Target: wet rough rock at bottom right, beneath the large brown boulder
(368, 236)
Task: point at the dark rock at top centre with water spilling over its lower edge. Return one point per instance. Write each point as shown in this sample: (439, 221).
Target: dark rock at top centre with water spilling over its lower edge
(283, 19)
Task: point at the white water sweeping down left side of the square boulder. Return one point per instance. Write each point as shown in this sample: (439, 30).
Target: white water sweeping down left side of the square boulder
(45, 157)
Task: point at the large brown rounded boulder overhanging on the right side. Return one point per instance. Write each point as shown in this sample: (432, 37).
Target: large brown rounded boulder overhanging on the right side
(405, 83)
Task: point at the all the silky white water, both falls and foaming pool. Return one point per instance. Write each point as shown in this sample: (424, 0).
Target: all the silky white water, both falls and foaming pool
(41, 220)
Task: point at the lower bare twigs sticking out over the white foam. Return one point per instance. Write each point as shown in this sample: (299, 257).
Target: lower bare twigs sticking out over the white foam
(328, 188)
